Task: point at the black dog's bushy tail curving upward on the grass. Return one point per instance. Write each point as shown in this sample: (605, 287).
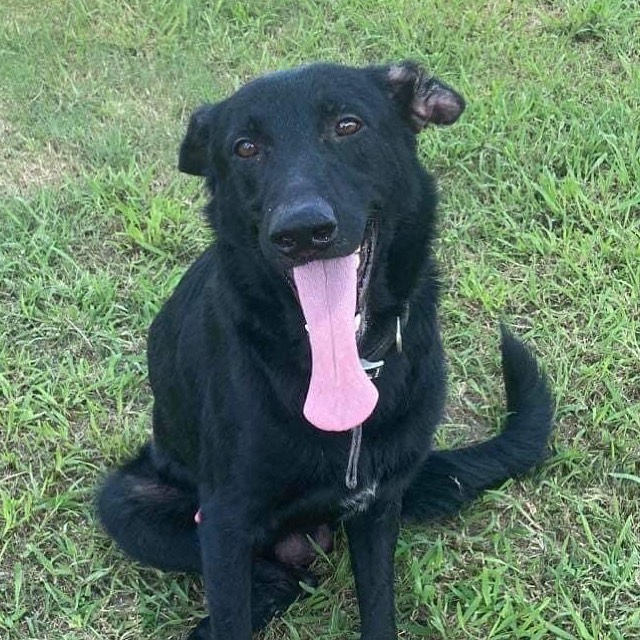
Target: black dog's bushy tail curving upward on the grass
(450, 479)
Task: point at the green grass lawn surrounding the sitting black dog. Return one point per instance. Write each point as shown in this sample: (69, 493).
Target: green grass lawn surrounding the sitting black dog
(540, 226)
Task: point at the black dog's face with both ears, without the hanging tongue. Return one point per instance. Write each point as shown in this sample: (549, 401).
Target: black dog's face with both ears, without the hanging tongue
(300, 161)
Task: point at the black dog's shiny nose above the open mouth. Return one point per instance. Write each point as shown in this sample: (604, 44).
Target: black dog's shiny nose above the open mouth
(304, 229)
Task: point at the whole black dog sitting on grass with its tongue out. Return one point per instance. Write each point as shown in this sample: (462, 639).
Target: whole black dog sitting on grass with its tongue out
(322, 267)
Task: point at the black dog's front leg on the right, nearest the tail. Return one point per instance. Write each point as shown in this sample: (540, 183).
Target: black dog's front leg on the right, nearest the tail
(372, 539)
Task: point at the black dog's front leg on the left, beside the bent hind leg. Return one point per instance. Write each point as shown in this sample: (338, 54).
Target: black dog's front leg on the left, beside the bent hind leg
(226, 545)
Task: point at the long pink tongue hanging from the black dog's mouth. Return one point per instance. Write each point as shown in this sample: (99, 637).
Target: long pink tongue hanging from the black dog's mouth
(340, 395)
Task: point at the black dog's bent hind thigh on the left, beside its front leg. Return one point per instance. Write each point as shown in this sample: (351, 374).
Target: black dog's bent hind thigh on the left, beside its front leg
(150, 512)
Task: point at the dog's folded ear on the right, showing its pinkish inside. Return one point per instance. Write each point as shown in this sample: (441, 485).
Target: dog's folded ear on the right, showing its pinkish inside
(422, 98)
